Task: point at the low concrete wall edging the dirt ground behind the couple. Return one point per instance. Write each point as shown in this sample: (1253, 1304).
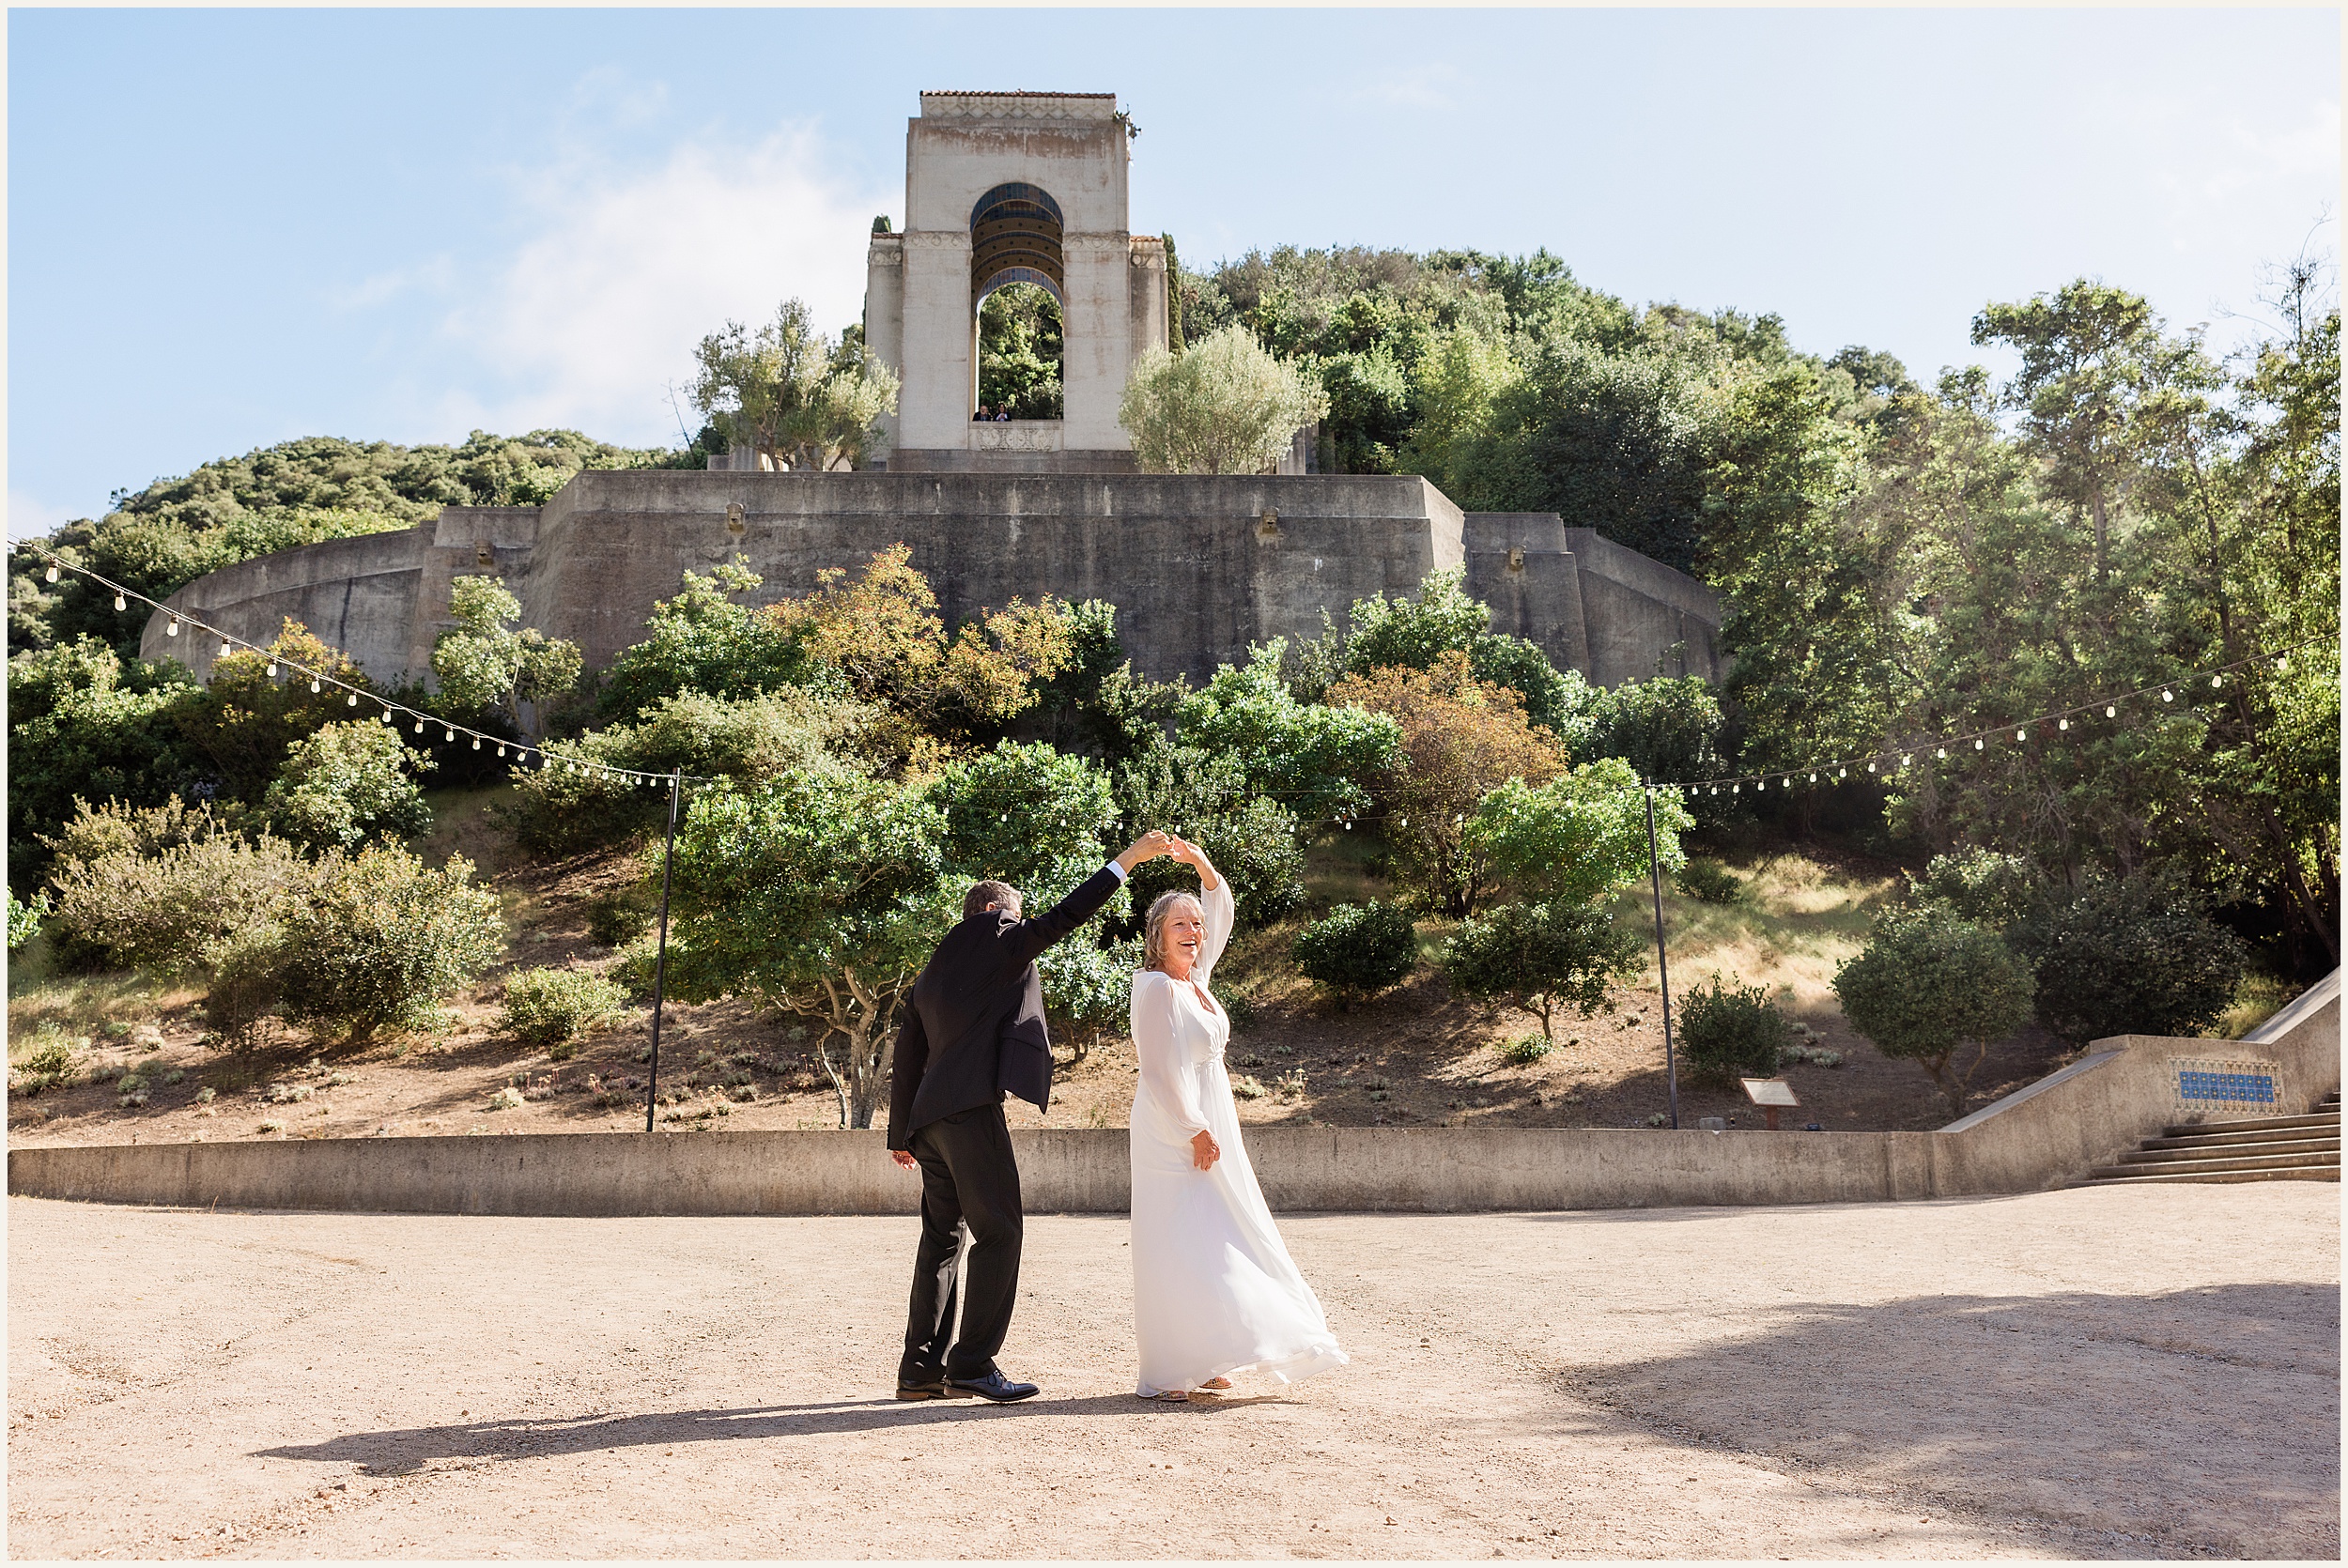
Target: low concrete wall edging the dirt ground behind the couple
(2042, 1137)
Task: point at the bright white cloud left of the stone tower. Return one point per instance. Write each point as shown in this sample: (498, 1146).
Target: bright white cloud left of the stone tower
(600, 309)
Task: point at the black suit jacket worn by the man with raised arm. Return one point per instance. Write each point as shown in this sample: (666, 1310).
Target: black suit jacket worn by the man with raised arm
(973, 1029)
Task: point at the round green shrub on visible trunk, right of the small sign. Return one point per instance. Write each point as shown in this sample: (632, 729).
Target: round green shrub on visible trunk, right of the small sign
(1931, 985)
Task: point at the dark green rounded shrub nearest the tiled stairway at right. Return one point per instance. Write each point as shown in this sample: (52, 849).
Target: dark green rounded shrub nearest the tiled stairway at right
(2131, 959)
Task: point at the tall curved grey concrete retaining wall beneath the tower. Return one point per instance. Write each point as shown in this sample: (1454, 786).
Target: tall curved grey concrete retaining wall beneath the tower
(1199, 567)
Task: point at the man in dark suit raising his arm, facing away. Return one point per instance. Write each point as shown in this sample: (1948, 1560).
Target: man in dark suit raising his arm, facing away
(973, 1032)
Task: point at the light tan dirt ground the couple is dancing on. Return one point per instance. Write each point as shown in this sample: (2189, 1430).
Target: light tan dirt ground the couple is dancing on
(2107, 1372)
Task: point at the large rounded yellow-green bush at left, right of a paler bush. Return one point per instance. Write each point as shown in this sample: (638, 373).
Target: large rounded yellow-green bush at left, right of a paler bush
(384, 940)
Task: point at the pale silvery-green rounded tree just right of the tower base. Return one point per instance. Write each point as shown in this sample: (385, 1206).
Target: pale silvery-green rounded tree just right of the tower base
(1227, 407)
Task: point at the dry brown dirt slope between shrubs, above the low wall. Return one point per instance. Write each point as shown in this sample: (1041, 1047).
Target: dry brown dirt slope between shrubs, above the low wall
(1412, 1057)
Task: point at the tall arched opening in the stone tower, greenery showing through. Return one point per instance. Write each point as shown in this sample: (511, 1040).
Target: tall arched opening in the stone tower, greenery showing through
(1018, 290)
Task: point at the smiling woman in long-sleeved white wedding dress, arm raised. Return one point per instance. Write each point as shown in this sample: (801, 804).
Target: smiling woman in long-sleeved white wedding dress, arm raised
(1215, 1292)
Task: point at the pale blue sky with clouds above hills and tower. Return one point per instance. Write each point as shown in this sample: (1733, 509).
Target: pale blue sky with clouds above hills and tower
(231, 229)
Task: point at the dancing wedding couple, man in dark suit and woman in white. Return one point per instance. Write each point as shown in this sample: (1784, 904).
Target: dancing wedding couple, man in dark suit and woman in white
(1215, 1290)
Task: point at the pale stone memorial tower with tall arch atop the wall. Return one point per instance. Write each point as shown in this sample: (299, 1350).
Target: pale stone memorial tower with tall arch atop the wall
(999, 189)
